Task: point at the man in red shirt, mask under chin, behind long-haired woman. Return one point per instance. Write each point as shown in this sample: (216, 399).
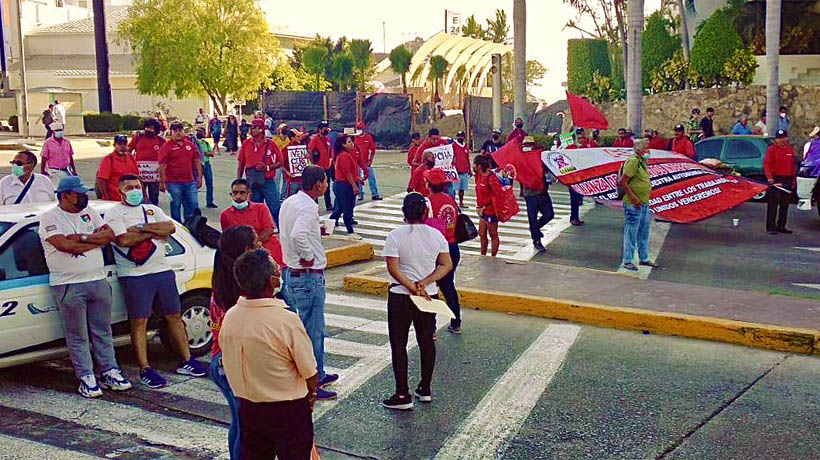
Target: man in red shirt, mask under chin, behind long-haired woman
(254, 215)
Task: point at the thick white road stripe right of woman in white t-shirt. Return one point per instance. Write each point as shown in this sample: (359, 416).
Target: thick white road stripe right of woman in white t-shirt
(502, 411)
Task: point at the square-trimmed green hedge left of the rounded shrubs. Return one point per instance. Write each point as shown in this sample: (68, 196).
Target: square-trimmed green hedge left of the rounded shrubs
(584, 57)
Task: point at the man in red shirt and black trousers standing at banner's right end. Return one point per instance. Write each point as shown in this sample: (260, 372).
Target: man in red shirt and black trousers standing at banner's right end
(781, 173)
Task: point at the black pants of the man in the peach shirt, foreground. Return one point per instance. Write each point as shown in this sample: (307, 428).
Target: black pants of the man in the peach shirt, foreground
(275, 429)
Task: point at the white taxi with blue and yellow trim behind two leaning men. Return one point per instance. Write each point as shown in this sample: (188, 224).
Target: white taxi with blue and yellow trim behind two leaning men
(30, 326)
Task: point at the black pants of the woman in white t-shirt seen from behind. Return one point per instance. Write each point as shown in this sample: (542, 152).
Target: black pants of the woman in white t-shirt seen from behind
(401, 312)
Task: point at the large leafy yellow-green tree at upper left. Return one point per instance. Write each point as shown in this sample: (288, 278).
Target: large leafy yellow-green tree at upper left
(218, 48)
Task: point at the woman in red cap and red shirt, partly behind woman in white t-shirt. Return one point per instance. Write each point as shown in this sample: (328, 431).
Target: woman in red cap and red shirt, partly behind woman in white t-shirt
(443, 207)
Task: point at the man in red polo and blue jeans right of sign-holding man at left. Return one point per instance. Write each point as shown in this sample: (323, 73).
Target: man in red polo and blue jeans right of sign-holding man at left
(180, 173)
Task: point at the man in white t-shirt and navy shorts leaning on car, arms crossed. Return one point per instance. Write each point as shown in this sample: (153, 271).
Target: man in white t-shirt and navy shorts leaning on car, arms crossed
(146, 279)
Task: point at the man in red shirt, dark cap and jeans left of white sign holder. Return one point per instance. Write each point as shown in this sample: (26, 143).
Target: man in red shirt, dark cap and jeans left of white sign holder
(258, 160)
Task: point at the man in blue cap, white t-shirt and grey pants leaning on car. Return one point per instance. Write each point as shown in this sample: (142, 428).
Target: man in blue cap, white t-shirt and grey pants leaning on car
(73, 235)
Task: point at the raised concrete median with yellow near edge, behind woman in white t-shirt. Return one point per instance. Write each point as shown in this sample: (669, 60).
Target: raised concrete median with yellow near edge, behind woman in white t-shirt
(624, 302)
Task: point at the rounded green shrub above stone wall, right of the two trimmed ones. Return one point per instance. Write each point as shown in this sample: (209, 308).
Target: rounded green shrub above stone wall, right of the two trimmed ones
(715, 44)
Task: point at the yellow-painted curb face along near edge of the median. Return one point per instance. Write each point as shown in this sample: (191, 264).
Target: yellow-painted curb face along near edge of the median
(779, 338)
